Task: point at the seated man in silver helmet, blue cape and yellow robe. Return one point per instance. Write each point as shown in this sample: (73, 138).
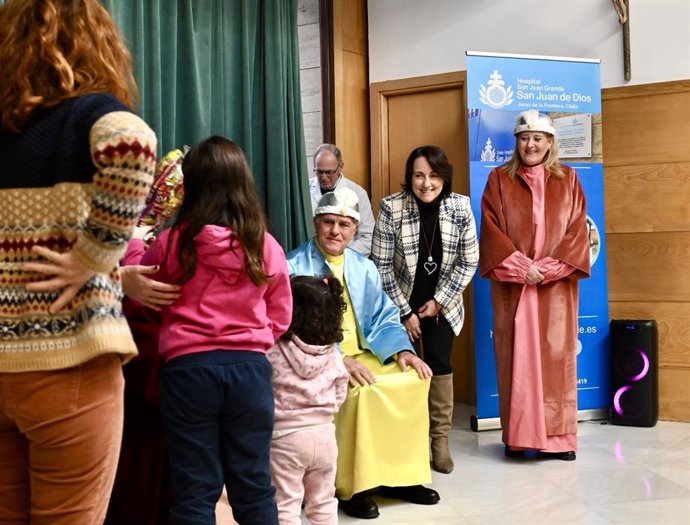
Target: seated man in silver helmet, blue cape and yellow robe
(382, 429)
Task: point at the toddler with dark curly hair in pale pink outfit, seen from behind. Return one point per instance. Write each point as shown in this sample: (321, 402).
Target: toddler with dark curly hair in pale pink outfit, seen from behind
(309, 386)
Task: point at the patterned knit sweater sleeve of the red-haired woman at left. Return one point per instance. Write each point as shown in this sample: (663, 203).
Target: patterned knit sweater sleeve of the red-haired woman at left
(123, 150)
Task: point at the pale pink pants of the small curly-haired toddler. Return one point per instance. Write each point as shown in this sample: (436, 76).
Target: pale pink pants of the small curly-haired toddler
(303, 467)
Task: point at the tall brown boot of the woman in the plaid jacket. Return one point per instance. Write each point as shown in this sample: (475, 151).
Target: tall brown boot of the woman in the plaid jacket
(440, 419)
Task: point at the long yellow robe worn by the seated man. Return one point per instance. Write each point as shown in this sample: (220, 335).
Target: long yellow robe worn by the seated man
(382, 429)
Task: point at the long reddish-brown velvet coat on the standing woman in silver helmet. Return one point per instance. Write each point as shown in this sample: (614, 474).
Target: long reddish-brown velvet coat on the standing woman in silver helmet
(508, 226)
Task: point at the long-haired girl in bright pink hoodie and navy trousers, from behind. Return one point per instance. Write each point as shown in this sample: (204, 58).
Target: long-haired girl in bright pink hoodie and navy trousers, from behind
(235, 302)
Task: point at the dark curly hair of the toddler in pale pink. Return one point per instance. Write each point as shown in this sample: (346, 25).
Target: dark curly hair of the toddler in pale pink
(317, 312)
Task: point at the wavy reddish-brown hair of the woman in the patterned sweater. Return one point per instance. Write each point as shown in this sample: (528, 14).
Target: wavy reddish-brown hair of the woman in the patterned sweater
(55, 50)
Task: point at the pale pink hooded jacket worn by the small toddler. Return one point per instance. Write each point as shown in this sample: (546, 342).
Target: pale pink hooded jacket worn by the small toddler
(309, 384)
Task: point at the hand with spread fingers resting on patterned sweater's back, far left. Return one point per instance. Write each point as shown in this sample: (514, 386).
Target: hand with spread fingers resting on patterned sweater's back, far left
(63, 271)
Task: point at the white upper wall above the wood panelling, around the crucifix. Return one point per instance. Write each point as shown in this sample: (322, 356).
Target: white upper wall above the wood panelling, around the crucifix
(409, 38)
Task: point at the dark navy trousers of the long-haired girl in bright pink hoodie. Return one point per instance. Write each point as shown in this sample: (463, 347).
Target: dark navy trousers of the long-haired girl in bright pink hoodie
(218, 415)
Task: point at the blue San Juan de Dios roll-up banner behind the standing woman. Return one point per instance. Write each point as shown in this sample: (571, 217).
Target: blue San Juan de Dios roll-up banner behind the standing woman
(569, 90)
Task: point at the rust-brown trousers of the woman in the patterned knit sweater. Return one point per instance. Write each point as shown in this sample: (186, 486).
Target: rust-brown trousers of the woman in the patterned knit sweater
(60, 434)
